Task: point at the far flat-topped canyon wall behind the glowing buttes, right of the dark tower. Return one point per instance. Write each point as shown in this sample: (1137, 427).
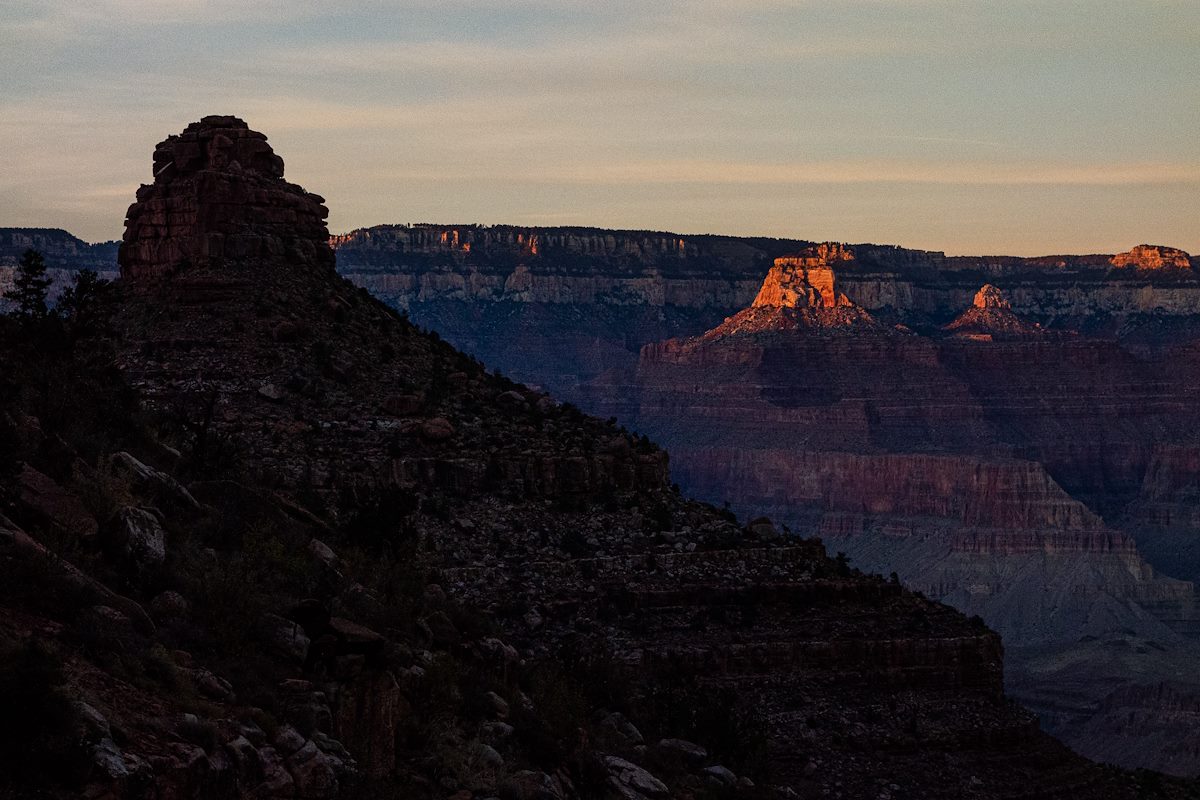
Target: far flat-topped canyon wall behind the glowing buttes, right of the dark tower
(585, 300)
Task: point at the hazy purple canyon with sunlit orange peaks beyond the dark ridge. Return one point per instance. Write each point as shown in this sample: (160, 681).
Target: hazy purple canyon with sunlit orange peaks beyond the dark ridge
(1010, 436)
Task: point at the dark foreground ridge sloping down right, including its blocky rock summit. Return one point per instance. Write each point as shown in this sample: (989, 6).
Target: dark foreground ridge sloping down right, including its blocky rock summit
(328, 556)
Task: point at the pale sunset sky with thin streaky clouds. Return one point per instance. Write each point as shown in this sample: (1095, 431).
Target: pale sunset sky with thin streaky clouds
(1021, 128)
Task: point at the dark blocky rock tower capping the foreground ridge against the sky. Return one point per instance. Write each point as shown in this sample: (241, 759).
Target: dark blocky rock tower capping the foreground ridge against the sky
(219, 197)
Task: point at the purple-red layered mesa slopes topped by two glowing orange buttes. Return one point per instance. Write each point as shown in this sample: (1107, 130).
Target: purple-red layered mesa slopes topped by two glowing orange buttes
(991, 464)
